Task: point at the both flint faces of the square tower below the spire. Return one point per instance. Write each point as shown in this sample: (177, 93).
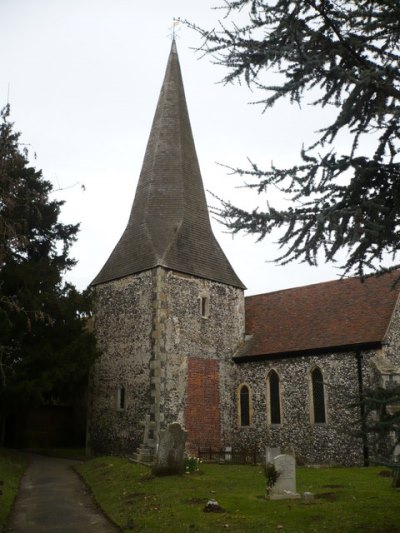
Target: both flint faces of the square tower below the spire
(148, 326)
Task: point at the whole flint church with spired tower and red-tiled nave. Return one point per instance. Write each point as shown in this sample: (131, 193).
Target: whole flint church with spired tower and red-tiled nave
(179, 342)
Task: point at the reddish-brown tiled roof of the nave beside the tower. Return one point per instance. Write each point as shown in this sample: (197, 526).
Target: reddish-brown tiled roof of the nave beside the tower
(325, 315)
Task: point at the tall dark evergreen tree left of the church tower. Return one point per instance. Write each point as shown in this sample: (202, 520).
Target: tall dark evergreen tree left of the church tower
(45, 347)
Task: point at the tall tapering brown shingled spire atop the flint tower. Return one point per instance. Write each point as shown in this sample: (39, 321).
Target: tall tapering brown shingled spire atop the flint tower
(169, 224)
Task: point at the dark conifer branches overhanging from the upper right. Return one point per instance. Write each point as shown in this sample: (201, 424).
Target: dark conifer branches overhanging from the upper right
(339, 54)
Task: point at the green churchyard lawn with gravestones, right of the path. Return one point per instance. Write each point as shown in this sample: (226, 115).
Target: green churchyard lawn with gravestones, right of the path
(347, 499)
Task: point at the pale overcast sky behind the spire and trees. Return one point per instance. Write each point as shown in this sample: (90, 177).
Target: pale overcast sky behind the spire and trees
(83, 79)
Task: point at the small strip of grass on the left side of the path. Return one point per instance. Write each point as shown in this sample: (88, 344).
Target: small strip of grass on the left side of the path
(12, 467)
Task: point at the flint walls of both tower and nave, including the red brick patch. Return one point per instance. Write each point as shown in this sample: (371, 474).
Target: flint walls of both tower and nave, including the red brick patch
(172, 362)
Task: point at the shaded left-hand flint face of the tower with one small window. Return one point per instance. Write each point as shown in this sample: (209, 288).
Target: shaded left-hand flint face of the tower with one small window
(123, 326)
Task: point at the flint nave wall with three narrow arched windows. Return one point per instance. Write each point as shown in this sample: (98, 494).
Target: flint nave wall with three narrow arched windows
(333, 442)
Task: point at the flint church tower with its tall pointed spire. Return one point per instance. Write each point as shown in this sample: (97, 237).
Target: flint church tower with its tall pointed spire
(169, 312)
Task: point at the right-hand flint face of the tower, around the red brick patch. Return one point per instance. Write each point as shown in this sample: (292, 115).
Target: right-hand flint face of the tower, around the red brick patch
(190, 336)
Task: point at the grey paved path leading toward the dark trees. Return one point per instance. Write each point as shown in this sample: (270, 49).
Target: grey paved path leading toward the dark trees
(53, 499)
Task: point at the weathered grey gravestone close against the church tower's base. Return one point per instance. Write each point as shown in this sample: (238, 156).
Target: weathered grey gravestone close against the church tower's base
(169, 458)
